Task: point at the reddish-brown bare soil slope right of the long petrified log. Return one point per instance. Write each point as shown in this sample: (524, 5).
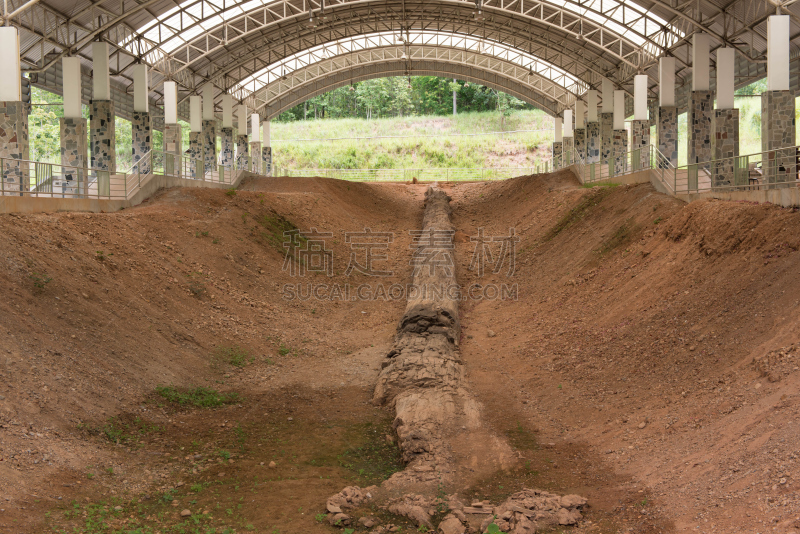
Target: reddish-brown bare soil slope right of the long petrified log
(635, 333)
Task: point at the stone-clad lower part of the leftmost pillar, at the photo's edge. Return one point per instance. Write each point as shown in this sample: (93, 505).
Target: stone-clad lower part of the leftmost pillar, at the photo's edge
(14, 146)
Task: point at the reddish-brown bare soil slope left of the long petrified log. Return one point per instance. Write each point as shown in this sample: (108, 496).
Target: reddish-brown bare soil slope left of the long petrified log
(97, 310)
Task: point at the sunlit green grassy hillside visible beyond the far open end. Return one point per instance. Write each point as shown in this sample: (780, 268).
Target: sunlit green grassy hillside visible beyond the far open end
(441, 149)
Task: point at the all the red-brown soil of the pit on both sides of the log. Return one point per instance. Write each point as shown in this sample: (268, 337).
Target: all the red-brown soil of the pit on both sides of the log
(643, 310)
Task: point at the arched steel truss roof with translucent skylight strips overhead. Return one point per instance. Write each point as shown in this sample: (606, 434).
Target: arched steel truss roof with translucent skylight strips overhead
(197, 41)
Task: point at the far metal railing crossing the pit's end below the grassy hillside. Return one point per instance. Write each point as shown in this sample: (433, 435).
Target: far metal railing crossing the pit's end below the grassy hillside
(420, 174)
